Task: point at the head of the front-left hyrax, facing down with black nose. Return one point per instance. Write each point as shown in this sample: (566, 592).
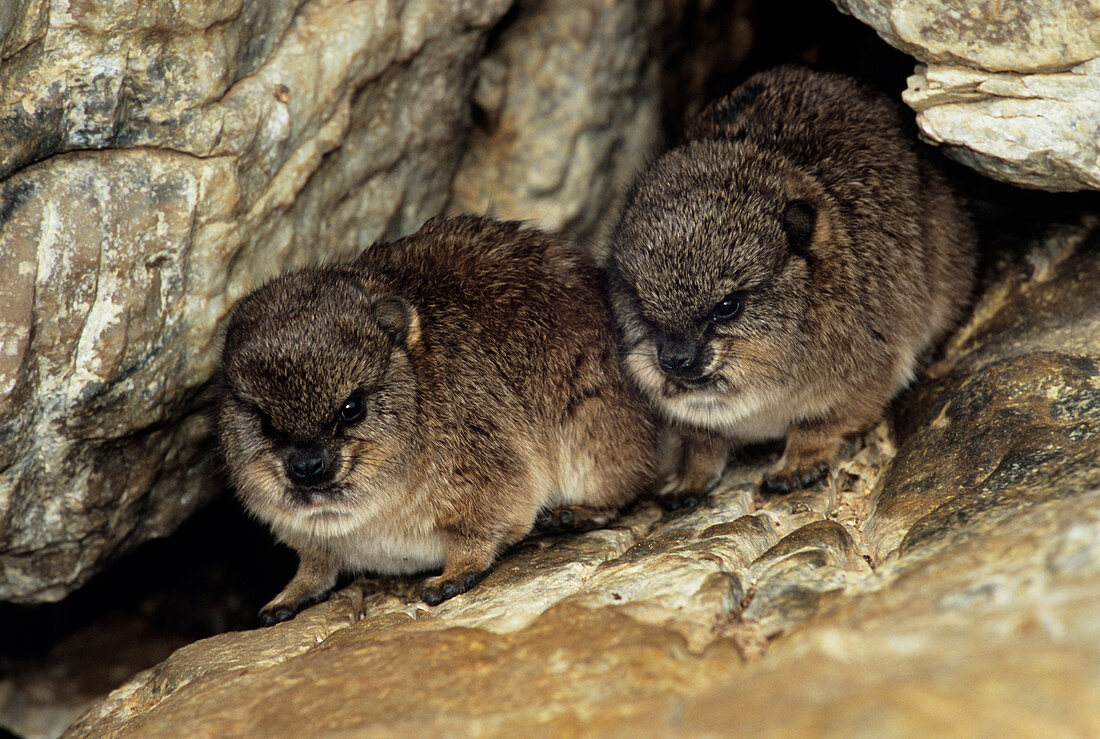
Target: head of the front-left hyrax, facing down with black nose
(320, 399)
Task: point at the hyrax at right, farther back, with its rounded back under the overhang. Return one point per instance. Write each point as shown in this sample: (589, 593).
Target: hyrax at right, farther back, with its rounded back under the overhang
(782, 272)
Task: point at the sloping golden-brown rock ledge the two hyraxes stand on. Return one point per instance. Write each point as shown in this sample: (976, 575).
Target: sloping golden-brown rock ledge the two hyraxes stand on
(945, 578)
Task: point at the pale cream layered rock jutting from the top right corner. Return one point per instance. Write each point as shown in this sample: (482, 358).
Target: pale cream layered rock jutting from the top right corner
(1009, 90)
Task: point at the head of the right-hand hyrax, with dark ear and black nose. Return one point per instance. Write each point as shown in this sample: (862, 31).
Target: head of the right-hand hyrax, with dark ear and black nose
(710, 269)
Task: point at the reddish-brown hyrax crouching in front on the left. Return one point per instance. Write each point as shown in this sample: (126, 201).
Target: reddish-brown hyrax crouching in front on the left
(428, 405)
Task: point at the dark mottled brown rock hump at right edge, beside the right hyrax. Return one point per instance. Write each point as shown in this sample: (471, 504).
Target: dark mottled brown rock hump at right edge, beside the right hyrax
(1018, 403)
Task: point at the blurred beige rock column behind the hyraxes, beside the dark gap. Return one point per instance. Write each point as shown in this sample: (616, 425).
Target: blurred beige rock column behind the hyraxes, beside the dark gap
(569, 105)
